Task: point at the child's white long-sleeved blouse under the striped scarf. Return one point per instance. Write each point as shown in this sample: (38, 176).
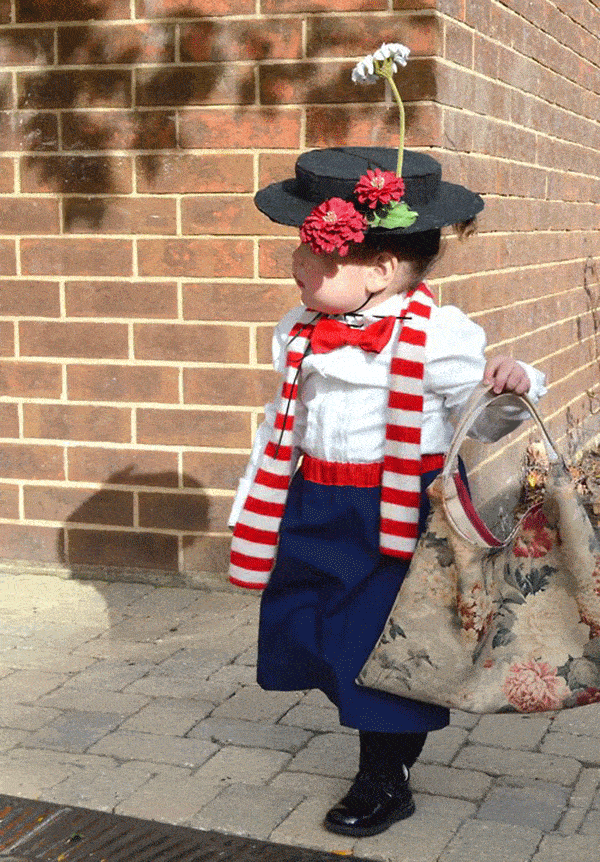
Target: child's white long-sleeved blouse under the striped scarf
(342, 402)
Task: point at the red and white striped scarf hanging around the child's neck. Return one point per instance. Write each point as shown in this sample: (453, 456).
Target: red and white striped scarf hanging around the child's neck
(255, 537)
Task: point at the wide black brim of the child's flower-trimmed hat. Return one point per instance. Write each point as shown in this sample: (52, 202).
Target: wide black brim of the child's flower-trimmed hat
(451, 205)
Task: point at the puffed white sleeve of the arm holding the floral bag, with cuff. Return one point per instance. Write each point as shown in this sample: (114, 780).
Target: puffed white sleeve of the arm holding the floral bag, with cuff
(455, 362)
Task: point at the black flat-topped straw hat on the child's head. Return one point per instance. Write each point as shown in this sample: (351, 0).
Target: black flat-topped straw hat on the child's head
(325, 174)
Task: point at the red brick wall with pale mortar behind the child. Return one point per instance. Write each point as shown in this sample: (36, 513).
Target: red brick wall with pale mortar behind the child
(138, 285)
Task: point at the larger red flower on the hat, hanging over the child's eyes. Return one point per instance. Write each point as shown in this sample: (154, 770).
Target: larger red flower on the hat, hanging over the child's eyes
(332, 226)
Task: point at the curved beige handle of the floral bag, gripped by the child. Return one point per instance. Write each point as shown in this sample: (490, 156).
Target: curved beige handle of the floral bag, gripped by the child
(481, 397)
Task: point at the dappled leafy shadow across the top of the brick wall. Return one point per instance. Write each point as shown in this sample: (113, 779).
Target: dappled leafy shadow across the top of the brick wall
(165, 82)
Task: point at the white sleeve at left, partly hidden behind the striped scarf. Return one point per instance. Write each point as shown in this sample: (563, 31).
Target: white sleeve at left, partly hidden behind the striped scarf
(265, 429)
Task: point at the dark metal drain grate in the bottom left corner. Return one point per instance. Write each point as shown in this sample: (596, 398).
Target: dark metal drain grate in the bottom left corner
(32, 831)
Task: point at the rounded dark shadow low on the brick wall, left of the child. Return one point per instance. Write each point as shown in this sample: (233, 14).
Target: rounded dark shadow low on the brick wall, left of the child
(142, 527)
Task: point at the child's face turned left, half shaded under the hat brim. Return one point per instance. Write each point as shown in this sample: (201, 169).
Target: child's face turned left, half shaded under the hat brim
(330, 284)
